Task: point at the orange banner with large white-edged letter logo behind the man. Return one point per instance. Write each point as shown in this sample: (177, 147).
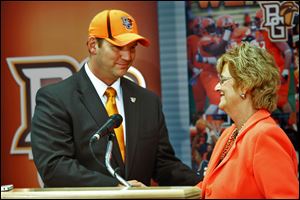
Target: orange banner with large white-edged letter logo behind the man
(45, 42)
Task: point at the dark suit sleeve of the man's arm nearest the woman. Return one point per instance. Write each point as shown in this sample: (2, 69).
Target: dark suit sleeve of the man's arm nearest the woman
(169, 169)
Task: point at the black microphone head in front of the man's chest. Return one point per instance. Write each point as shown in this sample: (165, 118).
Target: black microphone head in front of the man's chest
(114, 121)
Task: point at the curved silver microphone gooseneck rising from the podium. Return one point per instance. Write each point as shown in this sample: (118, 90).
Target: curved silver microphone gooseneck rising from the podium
(107, 161)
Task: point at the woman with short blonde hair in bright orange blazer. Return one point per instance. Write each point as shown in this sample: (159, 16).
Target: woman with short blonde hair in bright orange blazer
(253, 158)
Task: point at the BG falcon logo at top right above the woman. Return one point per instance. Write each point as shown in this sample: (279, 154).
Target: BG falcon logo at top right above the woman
(278, 18)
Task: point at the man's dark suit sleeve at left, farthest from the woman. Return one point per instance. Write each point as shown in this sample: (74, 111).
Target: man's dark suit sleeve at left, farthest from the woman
(53, 146)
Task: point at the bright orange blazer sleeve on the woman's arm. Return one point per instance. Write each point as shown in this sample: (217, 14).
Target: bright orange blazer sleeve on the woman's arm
(275, 165)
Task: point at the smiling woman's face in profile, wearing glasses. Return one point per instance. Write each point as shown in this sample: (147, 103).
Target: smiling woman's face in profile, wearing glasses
(229, 97)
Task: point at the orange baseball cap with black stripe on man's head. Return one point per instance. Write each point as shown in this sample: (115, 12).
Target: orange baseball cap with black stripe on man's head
(117, 27)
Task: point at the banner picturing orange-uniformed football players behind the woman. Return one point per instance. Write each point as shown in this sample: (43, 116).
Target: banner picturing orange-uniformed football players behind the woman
(272, 25)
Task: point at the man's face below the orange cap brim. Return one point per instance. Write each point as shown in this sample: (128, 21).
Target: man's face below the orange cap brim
(113, 61)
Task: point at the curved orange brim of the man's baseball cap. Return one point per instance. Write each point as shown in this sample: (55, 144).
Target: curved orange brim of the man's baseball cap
(126, 38)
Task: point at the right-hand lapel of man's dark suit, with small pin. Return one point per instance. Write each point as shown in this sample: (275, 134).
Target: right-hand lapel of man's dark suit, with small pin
(131, 103)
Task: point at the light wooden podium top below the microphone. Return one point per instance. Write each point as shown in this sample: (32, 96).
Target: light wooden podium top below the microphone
(182, 192)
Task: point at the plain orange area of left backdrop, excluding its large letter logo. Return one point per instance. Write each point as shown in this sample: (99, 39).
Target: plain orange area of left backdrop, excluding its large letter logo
(57, 28)
